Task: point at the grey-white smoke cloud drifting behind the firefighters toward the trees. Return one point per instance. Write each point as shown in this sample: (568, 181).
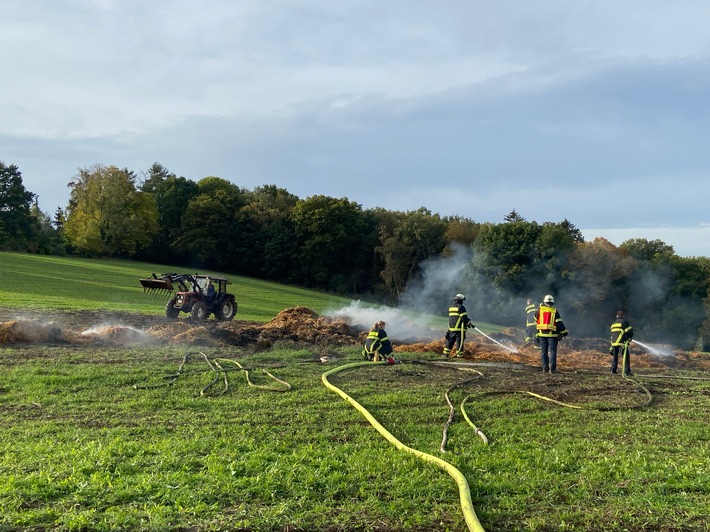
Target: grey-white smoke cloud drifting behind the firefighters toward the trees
(588, 291)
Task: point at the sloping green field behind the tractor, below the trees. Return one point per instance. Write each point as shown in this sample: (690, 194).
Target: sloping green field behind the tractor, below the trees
(44, 282)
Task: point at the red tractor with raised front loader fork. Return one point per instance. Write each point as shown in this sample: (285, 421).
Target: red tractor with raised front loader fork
(197, 295)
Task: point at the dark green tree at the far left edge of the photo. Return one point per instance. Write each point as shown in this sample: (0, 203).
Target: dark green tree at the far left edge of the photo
(16, 221)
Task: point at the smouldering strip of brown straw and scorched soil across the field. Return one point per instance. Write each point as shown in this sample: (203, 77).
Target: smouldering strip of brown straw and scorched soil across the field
(303, 327)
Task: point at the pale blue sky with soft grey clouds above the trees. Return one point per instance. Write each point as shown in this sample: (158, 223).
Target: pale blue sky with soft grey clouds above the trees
(592, 111)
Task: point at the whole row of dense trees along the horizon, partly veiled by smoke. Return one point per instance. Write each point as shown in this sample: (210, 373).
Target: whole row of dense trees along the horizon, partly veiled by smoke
(414, 258)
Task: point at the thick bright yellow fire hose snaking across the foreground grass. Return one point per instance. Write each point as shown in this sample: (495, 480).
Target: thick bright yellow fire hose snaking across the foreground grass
(472, 521)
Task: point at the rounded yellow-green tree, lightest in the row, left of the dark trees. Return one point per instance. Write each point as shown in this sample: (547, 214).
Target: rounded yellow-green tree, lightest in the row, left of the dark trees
(107, 215)
